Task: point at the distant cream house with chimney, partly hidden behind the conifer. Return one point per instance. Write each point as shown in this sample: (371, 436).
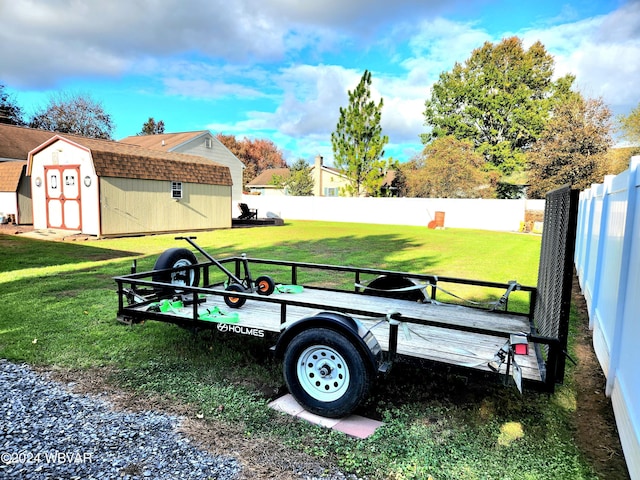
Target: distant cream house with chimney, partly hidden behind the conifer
(327, 181)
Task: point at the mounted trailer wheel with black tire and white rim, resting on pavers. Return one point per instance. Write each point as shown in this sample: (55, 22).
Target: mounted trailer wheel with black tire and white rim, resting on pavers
(326, 373)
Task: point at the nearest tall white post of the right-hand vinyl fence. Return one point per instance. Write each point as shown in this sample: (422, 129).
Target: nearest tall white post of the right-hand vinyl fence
(625, 270)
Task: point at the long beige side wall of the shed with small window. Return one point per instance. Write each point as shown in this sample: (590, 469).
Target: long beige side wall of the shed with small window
(140, 206)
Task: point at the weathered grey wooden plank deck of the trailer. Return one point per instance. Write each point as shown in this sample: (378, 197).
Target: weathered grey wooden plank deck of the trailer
(450, 334)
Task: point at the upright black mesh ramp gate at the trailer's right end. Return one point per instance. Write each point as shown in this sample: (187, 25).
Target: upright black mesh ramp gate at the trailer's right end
(555, 271)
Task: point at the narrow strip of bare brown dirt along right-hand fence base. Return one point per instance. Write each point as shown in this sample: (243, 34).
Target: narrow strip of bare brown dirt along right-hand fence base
(596, 431)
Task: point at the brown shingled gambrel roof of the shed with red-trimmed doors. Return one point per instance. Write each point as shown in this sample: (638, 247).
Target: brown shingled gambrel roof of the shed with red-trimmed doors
(115, 159)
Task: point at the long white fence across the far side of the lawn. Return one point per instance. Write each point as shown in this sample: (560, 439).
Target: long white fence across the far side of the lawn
(500, 215)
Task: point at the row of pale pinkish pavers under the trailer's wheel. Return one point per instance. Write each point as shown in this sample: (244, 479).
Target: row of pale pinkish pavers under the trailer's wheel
(353, 425)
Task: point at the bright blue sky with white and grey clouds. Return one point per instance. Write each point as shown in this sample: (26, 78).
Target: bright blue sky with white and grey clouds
(281, 69)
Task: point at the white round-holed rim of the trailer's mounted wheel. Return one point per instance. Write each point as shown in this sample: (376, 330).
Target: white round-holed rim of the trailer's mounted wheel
(323, 373)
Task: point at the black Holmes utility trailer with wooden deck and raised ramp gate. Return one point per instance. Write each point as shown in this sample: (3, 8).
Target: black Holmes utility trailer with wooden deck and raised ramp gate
(335, 337)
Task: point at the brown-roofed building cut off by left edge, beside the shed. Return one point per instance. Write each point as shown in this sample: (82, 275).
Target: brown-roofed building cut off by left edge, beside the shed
(15, 194)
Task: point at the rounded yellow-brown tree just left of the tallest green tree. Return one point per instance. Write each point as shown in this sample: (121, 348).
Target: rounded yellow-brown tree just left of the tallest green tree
(447, 168)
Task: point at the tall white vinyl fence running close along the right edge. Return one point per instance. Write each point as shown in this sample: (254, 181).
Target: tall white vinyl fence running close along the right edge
(607, 259)
